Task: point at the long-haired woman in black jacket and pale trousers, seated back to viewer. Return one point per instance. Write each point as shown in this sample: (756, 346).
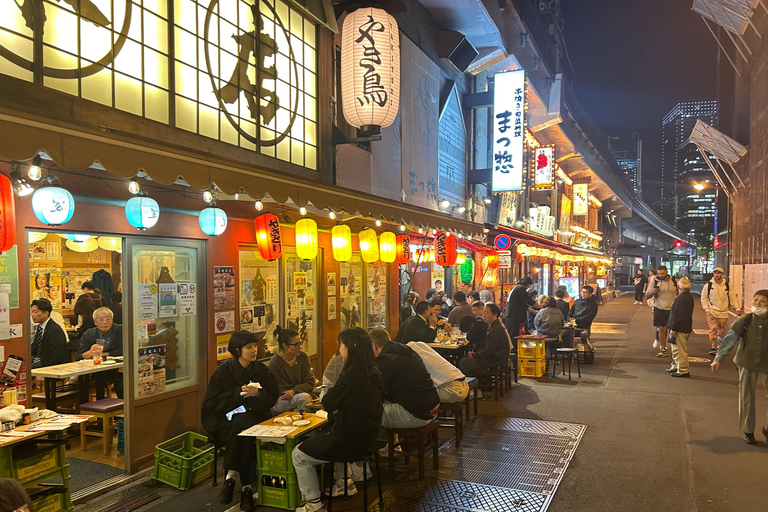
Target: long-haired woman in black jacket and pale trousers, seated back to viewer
(354, 406)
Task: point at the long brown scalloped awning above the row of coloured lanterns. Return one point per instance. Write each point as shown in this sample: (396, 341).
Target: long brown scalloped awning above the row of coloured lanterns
(78, 149)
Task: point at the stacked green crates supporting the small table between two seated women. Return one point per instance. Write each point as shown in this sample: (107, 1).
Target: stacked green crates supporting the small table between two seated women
(278, 486)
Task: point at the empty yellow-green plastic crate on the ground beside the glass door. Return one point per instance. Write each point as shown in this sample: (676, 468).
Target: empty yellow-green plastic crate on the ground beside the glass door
(183, 461)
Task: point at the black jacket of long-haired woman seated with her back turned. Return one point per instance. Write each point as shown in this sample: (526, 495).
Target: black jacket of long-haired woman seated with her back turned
(354, 406)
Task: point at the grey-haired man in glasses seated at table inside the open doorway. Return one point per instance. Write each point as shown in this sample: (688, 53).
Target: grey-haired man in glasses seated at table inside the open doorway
(106, 339)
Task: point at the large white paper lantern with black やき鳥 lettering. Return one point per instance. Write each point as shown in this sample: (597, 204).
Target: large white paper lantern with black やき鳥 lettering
(370, 68)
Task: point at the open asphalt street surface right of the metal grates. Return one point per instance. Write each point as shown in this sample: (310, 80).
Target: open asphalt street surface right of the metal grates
(652, 442)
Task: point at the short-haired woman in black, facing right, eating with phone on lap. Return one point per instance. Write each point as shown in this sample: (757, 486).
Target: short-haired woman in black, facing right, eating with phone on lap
(228, 391)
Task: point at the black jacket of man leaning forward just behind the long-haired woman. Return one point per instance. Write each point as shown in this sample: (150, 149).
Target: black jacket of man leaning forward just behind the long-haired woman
(406, 380)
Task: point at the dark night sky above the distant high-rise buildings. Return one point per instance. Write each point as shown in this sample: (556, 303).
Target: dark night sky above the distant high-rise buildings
(633, 61)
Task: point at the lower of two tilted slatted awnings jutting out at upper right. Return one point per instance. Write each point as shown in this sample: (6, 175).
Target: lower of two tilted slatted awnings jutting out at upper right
(711, 141)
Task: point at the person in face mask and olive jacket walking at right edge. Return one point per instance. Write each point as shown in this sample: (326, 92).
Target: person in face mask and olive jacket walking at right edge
(751, 358)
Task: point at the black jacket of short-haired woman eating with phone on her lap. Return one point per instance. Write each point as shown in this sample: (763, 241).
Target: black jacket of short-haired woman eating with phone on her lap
(223, 395)
